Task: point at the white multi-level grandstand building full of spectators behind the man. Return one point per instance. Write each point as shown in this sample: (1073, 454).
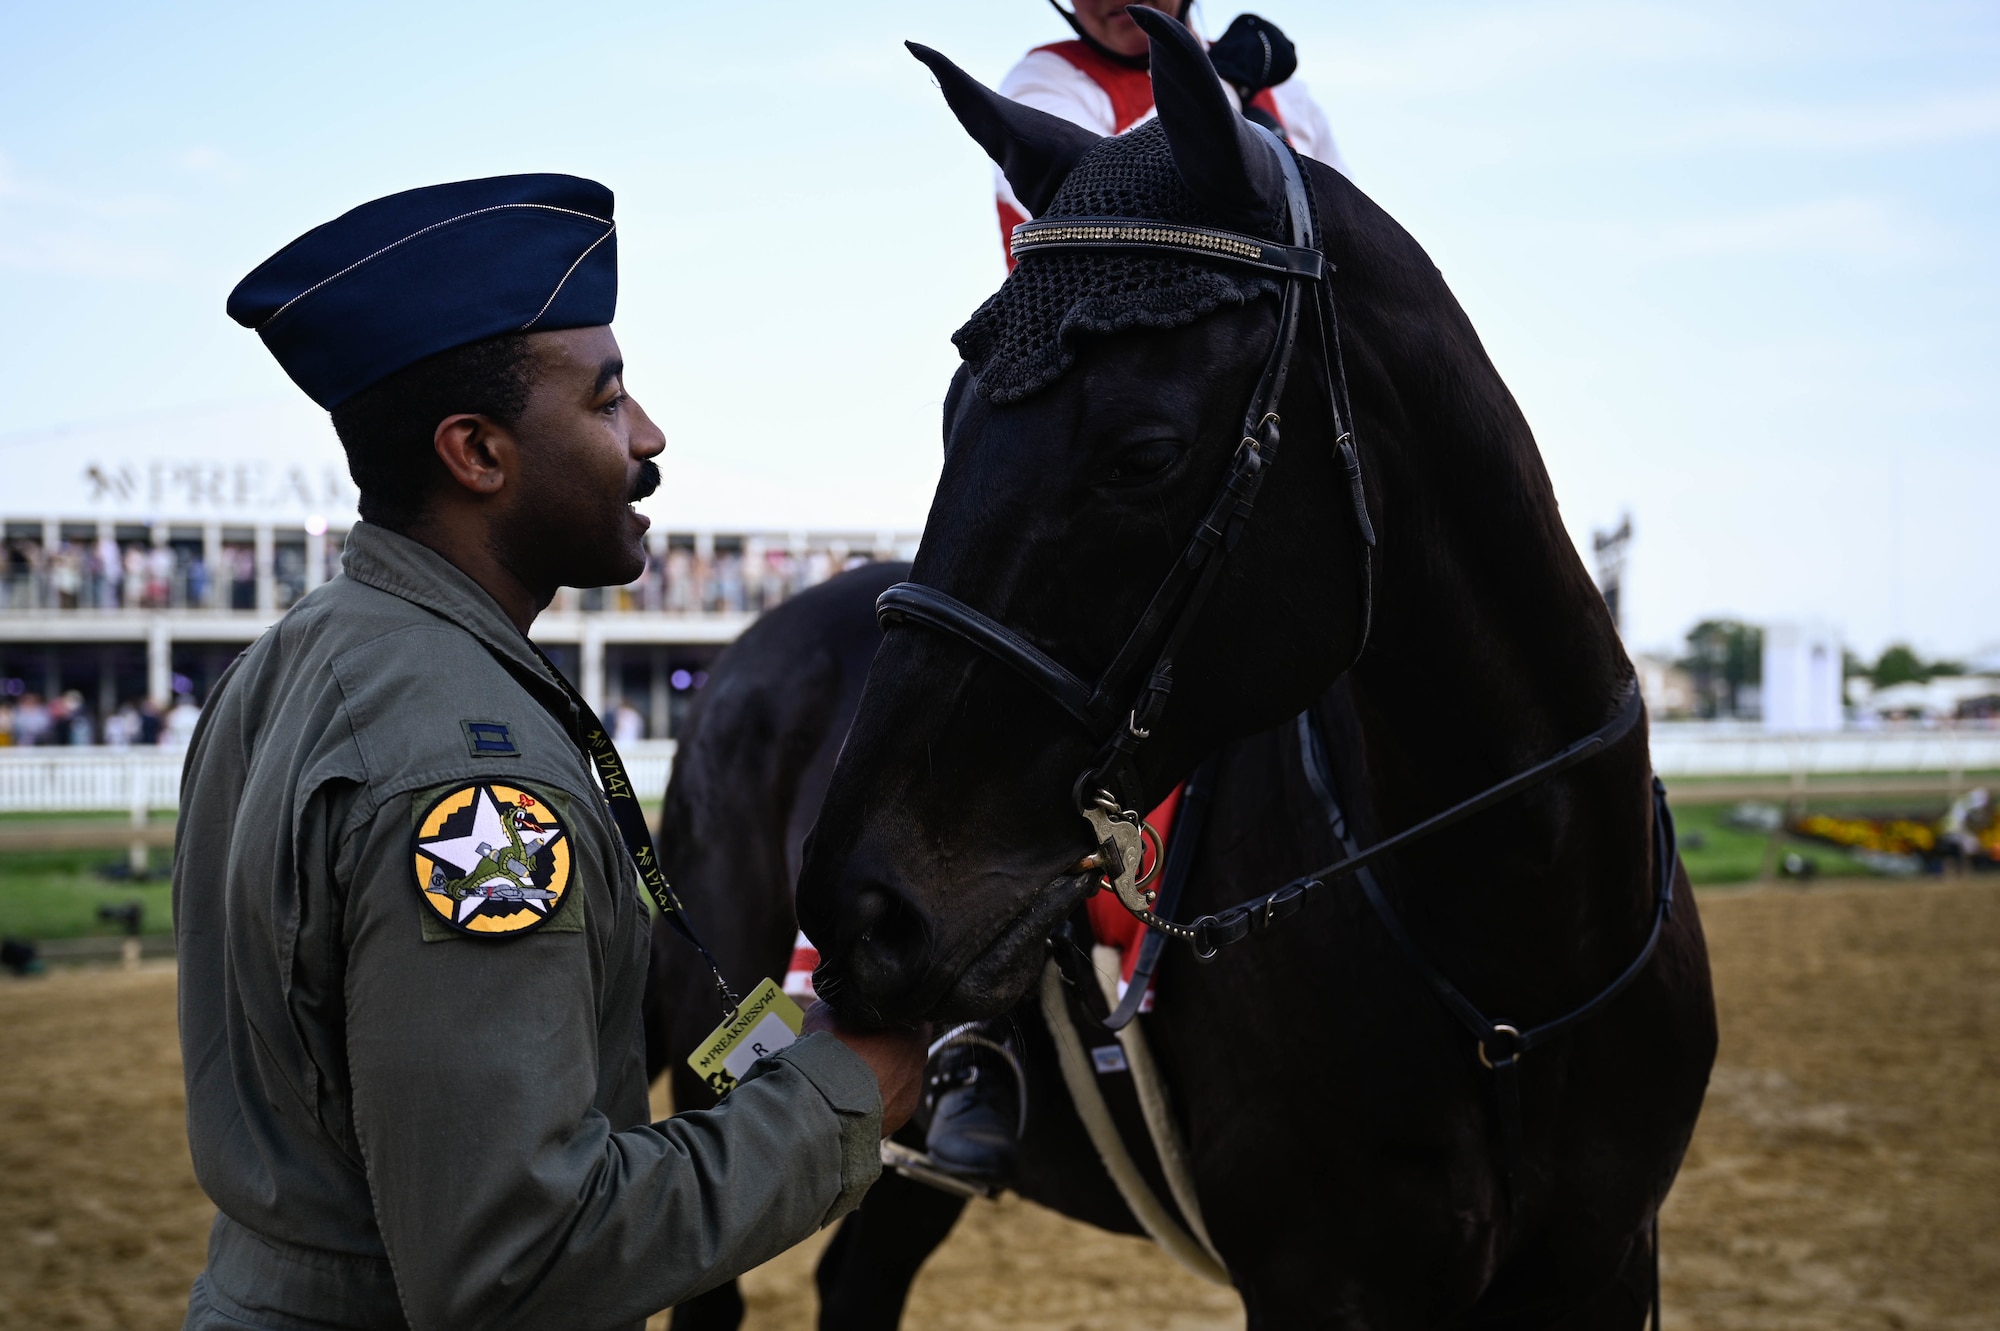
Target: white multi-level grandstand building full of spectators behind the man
(141, 559)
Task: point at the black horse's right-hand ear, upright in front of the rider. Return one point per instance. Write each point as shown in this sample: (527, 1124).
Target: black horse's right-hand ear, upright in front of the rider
(1221, 159)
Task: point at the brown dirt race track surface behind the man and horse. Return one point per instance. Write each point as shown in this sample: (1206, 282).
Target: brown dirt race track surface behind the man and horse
(1847, 1170)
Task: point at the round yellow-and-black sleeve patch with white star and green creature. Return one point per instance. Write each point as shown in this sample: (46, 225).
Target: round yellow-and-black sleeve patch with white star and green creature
(493, 860)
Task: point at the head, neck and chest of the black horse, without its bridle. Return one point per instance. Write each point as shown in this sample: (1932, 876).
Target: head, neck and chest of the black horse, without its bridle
(1343, 1130)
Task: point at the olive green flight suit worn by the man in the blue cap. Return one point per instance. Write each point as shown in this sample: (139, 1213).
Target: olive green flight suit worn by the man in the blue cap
(403, 1124)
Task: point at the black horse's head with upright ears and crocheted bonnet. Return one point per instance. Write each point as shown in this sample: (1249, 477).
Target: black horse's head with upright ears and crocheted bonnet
(1099, 421)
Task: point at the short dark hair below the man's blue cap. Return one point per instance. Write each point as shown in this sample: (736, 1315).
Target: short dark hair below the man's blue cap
(389, 429)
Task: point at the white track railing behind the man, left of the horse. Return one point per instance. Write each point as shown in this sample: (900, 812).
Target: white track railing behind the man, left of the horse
(81, 780)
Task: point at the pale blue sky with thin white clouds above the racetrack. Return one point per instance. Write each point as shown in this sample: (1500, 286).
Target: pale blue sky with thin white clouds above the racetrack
(1737, 259)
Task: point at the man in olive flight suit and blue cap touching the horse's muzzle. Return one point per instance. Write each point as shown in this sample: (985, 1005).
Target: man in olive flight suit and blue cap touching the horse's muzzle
(411, 934)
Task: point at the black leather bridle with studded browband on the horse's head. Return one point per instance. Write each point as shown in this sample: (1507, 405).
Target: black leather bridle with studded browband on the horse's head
(1109, 786)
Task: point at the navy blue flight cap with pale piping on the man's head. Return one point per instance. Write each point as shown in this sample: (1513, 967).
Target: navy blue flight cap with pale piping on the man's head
(419, 273)
